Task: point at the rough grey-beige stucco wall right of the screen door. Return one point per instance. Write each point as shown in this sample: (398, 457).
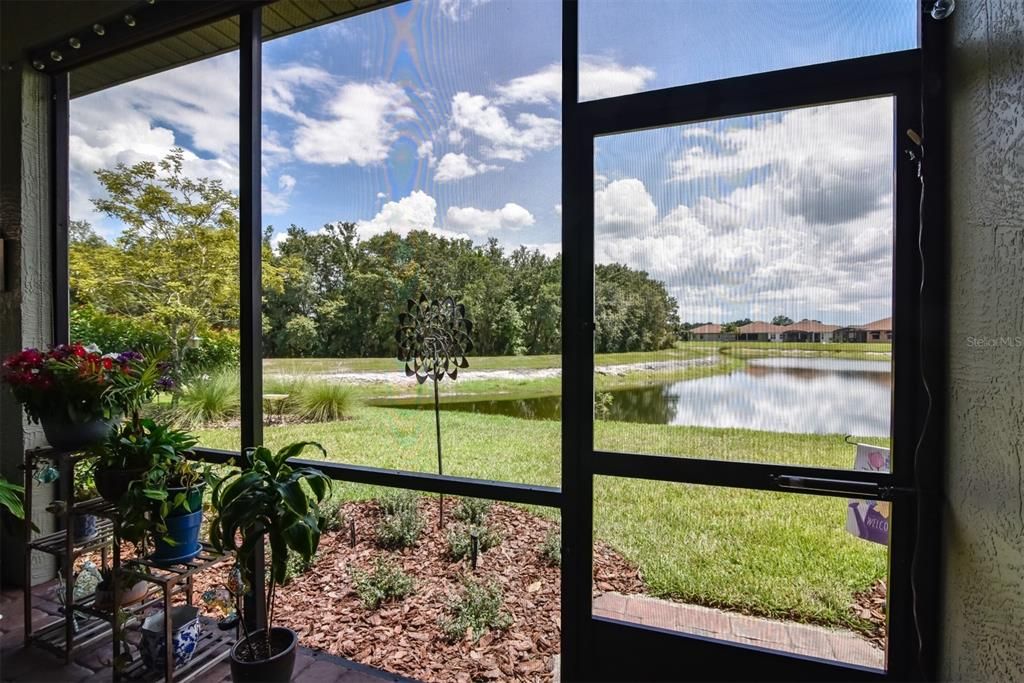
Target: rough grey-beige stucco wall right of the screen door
(985, 524)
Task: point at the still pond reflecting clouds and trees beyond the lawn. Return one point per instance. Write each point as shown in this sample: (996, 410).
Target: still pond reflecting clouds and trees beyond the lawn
(786, 395)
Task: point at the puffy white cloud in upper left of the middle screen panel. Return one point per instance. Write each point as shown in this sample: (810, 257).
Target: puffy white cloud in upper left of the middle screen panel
(361, 129)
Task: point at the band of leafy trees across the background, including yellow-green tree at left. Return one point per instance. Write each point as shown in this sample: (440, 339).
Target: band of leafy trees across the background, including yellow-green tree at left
(173, 275)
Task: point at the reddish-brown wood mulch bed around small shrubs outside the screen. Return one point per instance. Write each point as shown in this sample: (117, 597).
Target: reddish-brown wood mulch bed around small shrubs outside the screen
(405, 637)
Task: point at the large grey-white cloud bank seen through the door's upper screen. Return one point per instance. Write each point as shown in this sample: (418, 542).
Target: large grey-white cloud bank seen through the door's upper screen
(791, 214)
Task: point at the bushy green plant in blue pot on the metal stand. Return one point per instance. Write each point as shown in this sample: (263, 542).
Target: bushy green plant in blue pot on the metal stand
(163, 506)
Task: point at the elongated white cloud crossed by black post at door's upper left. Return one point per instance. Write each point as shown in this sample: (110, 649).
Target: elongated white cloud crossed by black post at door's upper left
(600, 77)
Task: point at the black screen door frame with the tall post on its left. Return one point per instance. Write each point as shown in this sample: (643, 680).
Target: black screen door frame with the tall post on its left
(599, 649)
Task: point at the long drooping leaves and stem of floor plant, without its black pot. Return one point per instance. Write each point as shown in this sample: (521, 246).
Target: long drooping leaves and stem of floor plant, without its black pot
(267, 498)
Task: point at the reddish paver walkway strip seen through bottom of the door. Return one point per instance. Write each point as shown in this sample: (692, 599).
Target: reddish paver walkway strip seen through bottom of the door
(835, 645)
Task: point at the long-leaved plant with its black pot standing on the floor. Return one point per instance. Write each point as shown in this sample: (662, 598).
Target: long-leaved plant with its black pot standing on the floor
(268, 498)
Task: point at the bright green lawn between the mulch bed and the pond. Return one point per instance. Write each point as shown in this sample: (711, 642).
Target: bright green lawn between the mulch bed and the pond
(766, 553)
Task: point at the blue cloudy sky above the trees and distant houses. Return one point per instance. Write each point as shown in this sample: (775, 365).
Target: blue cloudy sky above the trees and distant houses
(444, 115)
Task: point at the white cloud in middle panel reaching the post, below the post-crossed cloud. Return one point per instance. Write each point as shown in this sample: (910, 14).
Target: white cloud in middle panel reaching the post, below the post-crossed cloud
(478, 115)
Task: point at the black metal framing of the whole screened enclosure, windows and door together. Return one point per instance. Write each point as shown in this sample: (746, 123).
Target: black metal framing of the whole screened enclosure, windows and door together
(917, 74)
